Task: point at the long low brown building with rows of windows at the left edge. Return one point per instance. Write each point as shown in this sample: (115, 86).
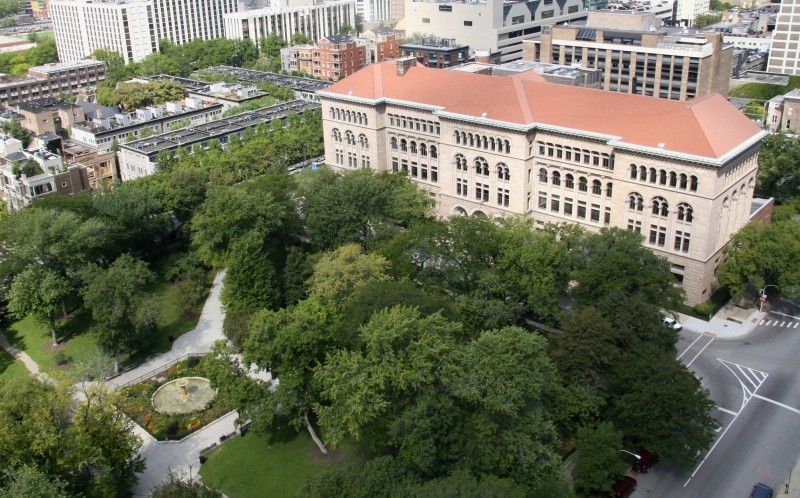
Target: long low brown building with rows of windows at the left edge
(50, 80)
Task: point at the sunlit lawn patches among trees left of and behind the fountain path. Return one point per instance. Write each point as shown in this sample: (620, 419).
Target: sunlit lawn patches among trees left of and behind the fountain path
(81, 340)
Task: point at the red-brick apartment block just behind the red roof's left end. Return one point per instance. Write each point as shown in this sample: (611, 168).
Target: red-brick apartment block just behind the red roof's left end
(337, 56)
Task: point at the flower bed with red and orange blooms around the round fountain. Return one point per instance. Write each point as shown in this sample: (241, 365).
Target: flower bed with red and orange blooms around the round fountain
(136, 403)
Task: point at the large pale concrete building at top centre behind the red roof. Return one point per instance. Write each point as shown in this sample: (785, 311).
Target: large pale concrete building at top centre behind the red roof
(493, 25)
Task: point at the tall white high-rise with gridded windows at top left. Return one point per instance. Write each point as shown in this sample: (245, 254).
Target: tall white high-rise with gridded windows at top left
(133, 27)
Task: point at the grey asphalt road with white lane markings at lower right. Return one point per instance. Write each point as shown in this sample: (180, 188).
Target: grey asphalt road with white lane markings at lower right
(755, 382)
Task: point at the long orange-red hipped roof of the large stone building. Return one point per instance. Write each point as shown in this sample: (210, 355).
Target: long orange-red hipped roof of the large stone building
(708, 127)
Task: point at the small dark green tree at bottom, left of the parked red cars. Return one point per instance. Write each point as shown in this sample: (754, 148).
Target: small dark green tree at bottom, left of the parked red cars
(599, 461)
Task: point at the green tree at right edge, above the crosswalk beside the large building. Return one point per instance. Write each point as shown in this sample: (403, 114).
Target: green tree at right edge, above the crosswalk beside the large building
(761, 254)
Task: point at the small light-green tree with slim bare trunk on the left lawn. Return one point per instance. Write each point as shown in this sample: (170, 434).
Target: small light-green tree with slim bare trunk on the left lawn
(39, 292)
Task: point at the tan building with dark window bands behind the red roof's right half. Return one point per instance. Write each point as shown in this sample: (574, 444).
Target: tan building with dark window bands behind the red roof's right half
(637, 55)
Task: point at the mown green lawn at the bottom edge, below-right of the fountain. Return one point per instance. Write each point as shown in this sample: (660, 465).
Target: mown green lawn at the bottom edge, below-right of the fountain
(251, 466)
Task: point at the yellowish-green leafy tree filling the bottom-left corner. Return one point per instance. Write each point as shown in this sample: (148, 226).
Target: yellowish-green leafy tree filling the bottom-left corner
(86, 445)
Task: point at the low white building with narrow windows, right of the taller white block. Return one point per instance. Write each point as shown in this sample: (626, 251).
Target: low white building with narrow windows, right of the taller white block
(287, 17)
